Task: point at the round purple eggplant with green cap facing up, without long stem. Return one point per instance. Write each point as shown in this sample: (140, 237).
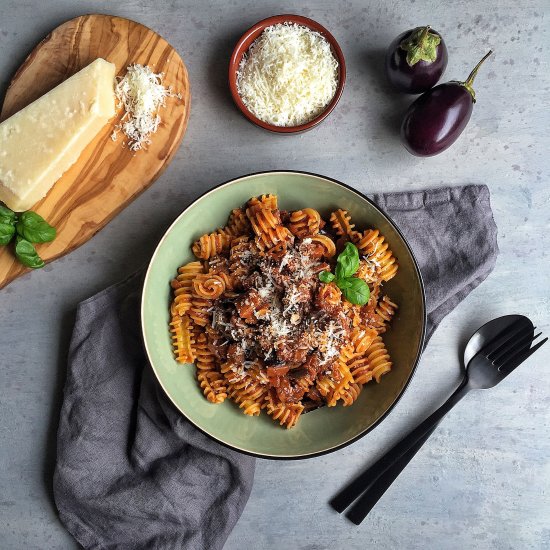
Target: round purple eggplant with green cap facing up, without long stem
(416, 60)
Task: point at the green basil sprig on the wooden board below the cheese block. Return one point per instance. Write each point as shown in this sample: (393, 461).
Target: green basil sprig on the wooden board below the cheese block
(27, 228)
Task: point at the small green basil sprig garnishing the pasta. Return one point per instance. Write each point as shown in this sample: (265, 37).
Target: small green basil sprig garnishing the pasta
(355, 290)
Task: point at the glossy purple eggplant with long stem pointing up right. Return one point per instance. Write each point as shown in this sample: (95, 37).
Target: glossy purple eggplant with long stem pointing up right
(434, 121)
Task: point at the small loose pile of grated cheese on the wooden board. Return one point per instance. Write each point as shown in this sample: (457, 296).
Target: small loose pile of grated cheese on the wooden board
(142, 94)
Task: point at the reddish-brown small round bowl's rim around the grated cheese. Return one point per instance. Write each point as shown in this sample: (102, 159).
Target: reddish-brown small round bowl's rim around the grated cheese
(235, 60)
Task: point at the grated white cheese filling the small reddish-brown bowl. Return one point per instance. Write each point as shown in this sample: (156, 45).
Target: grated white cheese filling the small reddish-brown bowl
(289, 75)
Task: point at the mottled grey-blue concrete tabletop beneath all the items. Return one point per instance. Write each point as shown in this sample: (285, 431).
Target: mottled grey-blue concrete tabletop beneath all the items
(482, 481)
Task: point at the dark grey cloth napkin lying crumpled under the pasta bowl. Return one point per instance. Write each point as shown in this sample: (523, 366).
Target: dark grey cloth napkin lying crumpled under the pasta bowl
(132, 473)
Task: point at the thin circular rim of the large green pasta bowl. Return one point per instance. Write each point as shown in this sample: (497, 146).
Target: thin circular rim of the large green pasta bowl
(419, 351)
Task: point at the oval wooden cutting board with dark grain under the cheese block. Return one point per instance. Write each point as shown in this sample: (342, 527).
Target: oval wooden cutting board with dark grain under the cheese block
(107, 176)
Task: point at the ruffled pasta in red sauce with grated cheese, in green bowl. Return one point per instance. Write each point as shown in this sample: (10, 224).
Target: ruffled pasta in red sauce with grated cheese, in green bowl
(261, 327)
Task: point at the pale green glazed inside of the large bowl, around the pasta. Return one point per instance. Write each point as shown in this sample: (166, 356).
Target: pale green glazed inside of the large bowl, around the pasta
(325, 429)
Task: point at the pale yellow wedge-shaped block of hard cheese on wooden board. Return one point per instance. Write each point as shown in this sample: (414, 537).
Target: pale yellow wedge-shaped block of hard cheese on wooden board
(43, 140)
